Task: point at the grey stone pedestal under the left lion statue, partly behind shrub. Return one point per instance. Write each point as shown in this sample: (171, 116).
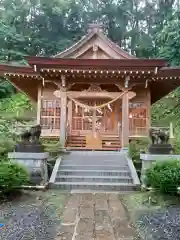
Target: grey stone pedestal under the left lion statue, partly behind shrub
(35, 163)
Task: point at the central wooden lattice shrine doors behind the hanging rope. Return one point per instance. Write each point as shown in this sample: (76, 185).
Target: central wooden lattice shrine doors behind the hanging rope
(86, 121)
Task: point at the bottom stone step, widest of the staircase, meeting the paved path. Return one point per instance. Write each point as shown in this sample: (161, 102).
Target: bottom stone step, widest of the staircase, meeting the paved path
(95, 186)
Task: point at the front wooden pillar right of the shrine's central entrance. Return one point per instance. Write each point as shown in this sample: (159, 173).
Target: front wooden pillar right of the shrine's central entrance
(125, 120)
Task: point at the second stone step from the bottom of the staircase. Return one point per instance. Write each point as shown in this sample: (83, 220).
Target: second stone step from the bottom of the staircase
(105, 179)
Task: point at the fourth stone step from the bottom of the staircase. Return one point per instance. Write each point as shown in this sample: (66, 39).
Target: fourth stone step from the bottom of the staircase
(94, 167)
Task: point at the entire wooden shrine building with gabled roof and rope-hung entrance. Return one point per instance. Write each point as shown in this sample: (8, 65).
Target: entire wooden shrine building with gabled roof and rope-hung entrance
(93, 95)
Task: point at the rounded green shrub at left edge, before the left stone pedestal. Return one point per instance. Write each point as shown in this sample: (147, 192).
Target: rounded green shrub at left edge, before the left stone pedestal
(12, 176)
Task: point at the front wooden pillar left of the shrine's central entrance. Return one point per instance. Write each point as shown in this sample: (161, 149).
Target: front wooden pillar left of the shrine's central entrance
(63, 122)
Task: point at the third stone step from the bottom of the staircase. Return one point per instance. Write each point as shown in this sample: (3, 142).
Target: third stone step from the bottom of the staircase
(78, 172)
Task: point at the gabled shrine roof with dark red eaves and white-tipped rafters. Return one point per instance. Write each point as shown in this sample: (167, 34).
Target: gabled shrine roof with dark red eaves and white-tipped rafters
(75, 64)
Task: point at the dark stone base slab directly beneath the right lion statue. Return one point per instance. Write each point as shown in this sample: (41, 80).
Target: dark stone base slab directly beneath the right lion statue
(160, 149)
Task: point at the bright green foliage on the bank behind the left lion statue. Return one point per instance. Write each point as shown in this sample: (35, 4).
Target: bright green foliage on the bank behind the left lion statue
(14, 111)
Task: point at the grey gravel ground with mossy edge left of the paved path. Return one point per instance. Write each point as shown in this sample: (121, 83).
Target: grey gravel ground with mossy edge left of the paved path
(32, 217)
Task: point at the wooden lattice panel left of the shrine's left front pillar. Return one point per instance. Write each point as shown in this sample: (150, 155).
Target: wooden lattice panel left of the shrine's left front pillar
(50, 114)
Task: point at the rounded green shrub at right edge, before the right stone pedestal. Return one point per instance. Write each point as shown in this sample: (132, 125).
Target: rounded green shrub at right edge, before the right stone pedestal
(164, 176)
